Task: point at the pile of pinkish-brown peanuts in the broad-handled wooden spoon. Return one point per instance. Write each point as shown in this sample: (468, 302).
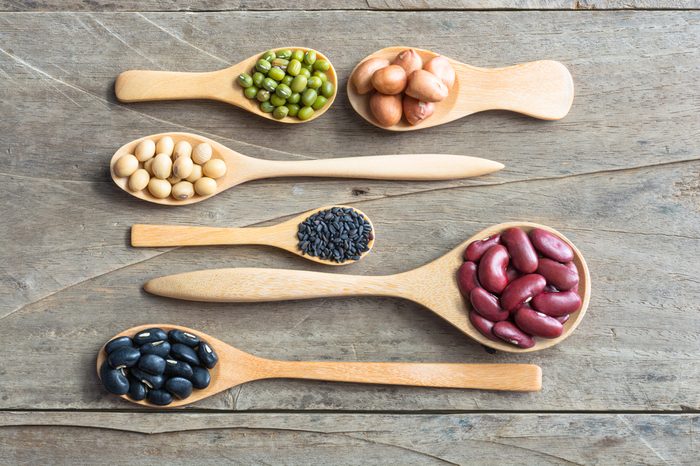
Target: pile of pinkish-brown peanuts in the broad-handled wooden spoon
(422, 83)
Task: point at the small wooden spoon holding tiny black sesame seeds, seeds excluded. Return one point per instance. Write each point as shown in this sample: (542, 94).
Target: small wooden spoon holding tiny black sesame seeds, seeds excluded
(283, 236)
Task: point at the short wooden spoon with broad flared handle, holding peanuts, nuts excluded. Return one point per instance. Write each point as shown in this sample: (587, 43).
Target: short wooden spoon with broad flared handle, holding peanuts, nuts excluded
(542, 89)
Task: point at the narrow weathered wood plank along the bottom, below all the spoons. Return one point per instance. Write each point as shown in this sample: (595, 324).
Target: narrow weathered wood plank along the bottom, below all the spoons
(525, 439)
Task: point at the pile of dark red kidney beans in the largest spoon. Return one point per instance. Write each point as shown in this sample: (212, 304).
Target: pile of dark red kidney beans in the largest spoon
(520, 285)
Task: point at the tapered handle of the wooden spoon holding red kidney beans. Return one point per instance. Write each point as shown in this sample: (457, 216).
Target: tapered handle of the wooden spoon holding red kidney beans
(255, 285)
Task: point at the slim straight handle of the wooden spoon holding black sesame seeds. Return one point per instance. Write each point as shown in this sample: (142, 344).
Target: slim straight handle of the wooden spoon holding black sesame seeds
(174, 235)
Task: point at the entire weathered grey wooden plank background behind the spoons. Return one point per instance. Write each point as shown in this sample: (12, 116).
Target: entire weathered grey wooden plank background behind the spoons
(620, 176)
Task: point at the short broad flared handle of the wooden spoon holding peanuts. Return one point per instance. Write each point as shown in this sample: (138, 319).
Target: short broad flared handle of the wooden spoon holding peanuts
(541, 89)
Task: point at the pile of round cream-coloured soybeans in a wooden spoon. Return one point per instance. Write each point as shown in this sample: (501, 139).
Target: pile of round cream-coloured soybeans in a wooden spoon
(169, 168)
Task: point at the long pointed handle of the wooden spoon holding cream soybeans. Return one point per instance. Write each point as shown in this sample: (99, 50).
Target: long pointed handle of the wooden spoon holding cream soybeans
(384, 167)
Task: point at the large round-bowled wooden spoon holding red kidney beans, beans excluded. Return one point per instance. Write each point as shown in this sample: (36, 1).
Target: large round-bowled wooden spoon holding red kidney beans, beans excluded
(433, 285)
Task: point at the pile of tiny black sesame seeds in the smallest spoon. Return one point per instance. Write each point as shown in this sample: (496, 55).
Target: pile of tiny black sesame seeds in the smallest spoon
(337, 234)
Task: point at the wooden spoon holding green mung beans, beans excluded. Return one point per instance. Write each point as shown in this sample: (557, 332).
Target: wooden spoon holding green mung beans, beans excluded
(221, 85)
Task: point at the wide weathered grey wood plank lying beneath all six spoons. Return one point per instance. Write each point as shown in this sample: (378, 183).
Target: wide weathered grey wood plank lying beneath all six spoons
(65, 225)
